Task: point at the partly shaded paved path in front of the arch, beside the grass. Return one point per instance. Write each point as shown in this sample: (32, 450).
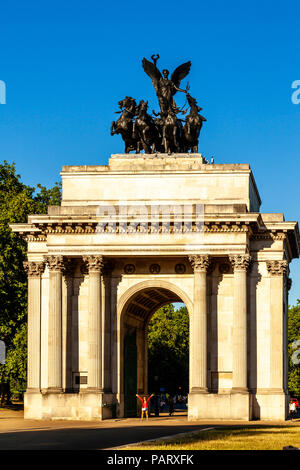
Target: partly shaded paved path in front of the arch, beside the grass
(19, 434)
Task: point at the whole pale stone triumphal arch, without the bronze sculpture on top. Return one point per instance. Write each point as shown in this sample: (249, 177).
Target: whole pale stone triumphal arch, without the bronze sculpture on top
(131, 236)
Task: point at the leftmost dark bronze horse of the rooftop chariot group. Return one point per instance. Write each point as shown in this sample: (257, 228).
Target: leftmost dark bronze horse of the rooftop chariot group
(125, 125)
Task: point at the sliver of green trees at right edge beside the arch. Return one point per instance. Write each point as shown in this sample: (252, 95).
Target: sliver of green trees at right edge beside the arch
(294, 351)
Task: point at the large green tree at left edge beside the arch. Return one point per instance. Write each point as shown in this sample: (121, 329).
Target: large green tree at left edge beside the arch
(17, 201)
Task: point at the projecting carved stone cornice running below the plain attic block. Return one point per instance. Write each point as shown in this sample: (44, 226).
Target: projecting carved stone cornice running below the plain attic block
(249, 223)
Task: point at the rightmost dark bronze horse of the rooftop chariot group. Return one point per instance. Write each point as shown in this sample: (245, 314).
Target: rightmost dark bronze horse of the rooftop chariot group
(192, 127)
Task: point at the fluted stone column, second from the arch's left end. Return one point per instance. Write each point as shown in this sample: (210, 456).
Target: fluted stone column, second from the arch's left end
(56, 266)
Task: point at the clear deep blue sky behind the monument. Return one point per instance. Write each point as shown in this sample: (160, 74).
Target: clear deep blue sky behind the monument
(67, 64)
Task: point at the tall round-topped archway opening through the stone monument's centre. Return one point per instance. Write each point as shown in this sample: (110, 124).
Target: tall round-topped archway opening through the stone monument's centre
(156, 345)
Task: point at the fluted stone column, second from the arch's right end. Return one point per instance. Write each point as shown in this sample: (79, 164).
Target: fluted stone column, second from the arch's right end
(240, 264)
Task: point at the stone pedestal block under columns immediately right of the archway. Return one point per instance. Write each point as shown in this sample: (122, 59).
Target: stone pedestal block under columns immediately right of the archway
(235, 406)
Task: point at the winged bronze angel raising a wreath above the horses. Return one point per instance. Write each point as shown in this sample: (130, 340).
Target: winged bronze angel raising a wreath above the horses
(166, 88)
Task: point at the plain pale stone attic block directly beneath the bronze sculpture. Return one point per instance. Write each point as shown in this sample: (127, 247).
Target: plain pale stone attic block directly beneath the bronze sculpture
(162, 178)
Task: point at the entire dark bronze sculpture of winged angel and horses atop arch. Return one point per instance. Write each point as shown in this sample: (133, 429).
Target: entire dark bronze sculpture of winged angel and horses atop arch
(164, 131)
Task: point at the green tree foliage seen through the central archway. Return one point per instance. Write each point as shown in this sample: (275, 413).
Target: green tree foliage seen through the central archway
(168, 342)
